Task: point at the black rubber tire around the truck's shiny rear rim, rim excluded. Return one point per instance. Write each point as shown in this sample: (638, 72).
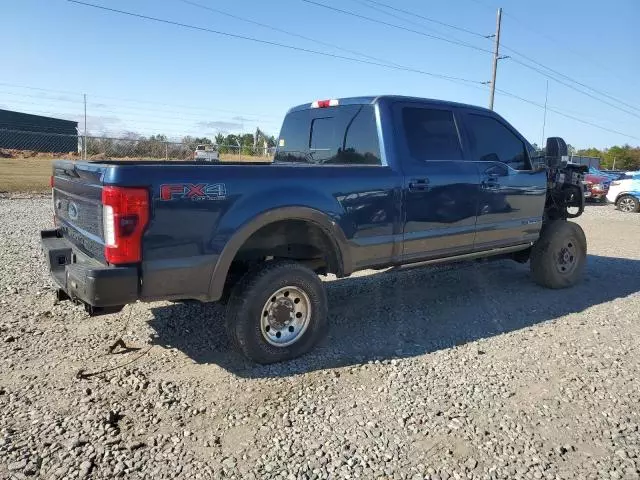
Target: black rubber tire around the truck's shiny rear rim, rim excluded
(245, 310)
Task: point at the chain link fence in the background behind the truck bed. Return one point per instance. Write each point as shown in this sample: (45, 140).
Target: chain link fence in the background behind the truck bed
(29, 144)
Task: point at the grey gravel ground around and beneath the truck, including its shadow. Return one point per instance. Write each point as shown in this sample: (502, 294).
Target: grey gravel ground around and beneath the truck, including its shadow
(446, 373)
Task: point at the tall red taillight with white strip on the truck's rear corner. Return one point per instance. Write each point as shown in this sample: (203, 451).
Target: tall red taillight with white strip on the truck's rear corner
(125, 214)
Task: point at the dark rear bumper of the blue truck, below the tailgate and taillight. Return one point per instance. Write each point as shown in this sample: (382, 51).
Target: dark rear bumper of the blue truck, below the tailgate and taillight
(83, 279)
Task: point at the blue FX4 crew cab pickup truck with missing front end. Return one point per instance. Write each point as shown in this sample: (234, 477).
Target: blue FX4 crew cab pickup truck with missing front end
(356, 183)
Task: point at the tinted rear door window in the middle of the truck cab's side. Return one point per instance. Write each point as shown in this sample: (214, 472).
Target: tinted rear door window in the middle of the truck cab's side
(431, 134)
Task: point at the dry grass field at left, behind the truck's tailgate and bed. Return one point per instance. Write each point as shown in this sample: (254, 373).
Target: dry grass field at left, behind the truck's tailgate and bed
(32, 174)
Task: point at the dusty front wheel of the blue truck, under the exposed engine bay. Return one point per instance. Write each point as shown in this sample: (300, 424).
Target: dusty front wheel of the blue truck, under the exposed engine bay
(559, 256)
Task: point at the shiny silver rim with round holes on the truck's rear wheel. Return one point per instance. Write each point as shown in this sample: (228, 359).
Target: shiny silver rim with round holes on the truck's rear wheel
(285, 316)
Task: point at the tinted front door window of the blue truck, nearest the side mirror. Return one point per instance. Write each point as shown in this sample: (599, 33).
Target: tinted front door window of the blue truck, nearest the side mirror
(492, 141)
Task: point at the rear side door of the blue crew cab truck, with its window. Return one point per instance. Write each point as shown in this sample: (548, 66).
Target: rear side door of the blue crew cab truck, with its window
(440, 187)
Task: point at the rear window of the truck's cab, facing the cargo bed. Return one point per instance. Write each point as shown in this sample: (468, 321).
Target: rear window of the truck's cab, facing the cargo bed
(345, 135)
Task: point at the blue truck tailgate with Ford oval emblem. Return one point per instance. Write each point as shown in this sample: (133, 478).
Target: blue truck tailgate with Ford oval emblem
(77, 203)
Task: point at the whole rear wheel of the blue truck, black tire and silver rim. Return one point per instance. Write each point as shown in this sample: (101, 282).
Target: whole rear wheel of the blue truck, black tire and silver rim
(277, 312)
